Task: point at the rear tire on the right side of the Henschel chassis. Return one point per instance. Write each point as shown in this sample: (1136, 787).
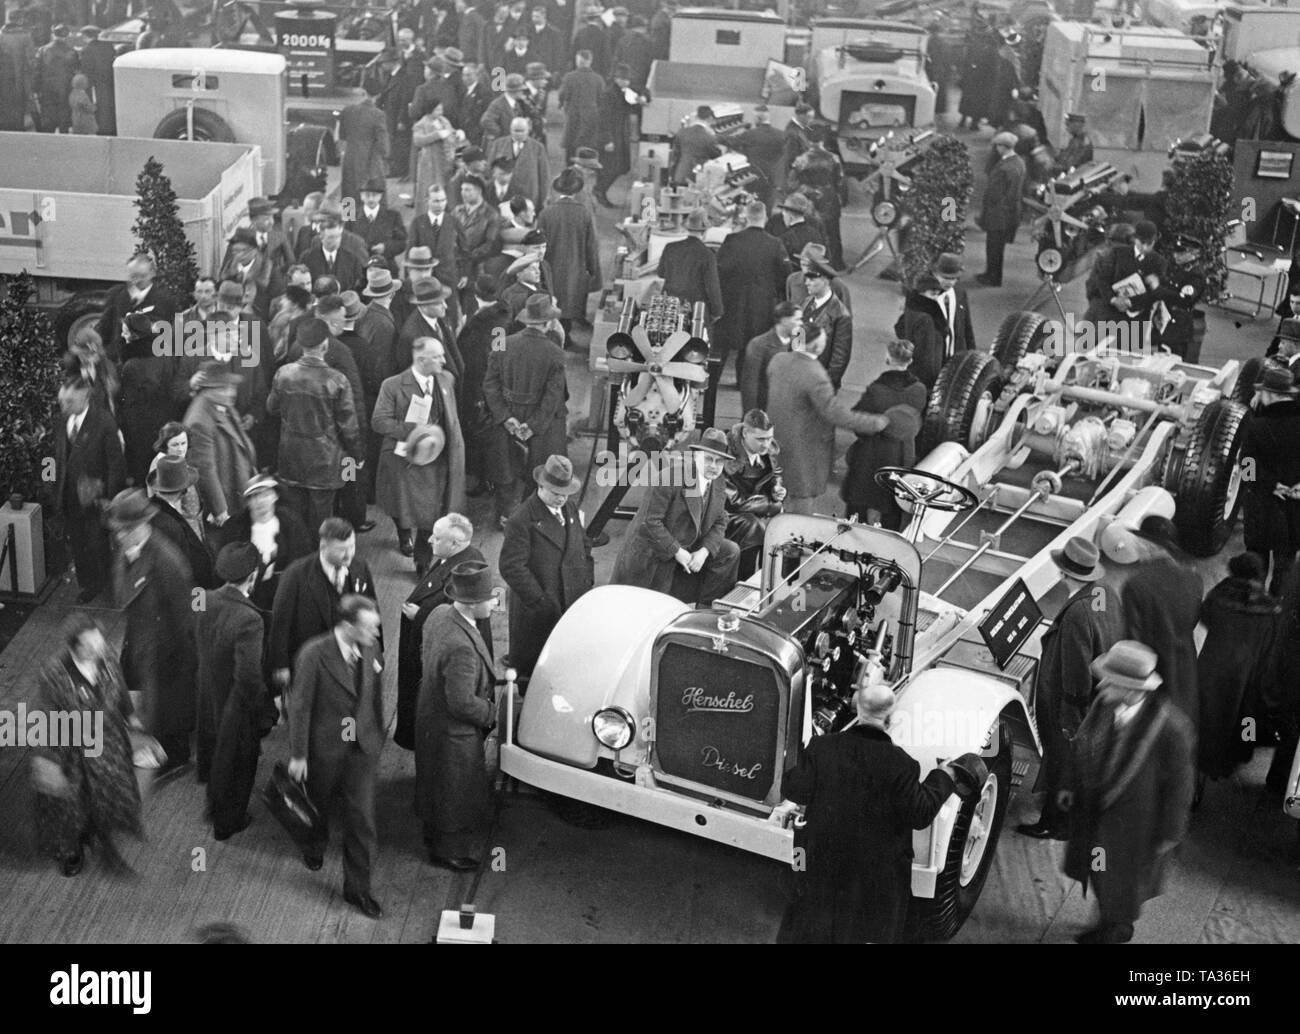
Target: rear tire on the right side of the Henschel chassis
(1207, 495)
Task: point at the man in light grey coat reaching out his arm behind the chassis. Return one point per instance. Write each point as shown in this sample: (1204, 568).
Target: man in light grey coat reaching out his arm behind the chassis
(805, 413)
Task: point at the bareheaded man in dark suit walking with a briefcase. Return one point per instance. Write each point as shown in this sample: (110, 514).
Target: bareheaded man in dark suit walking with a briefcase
(337, 686)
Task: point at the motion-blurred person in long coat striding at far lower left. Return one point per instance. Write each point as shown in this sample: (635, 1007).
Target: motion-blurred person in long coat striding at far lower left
(85, 794)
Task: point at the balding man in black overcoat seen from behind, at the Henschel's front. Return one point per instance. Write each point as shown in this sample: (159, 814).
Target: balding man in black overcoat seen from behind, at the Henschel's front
(863, 797)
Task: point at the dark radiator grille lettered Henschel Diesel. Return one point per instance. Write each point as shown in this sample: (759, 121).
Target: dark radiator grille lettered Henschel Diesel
(718, 721)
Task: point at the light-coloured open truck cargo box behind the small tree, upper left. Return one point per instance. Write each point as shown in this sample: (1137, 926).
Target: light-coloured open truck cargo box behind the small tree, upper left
(68, 204)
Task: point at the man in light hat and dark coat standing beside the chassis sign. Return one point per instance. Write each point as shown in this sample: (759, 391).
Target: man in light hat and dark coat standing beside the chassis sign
(1085, 629)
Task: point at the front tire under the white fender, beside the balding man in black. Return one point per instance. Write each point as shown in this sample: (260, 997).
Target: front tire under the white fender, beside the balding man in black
(942, 916)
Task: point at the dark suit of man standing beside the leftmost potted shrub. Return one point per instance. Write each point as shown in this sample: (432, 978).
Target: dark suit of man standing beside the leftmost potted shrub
(88, 473)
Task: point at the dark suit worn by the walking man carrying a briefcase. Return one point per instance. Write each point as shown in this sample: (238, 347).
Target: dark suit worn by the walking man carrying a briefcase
(331, 696)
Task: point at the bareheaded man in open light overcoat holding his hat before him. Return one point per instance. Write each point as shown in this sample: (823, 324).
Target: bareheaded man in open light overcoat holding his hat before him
(414, 490)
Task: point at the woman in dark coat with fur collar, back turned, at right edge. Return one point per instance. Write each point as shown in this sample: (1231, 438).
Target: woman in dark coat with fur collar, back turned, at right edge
(1236, 667)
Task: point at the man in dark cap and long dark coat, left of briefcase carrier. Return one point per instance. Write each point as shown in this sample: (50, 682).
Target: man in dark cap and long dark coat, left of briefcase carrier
(233, 702)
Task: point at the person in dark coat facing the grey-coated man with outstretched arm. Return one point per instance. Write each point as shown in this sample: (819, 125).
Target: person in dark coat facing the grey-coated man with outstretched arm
(896, 447)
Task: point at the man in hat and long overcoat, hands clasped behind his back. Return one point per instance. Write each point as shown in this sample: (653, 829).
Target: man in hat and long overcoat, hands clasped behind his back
(526, 392)
